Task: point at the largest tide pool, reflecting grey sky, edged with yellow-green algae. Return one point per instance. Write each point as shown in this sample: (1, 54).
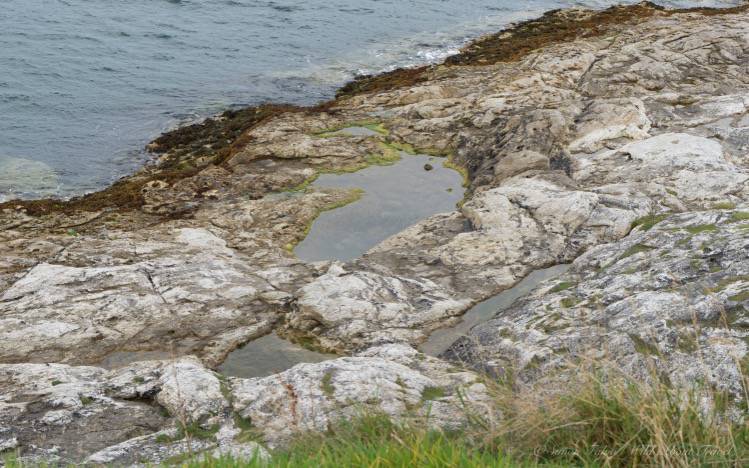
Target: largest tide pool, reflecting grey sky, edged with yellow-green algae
(395, 197)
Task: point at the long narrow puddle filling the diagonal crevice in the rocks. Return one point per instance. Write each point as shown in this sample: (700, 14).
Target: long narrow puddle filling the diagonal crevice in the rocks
(441, 339)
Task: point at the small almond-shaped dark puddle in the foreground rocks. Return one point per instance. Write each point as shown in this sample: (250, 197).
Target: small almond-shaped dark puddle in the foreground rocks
(267, 356)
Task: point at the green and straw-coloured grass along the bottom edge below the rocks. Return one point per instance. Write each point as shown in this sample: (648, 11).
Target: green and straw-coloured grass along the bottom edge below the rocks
(614, 421)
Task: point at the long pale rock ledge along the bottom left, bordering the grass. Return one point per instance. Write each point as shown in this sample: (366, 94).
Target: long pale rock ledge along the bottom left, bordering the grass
(155, 410)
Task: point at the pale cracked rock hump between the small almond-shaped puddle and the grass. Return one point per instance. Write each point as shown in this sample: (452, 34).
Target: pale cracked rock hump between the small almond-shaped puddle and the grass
(394, 379)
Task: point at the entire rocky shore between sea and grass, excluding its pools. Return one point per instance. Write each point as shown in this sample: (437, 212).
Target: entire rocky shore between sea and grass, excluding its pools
(615, 140)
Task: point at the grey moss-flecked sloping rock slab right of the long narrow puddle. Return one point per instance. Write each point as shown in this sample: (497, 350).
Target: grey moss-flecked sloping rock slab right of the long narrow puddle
(669, 301)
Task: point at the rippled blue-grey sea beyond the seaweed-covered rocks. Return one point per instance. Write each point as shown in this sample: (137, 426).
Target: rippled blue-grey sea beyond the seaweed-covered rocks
(84, 84)
